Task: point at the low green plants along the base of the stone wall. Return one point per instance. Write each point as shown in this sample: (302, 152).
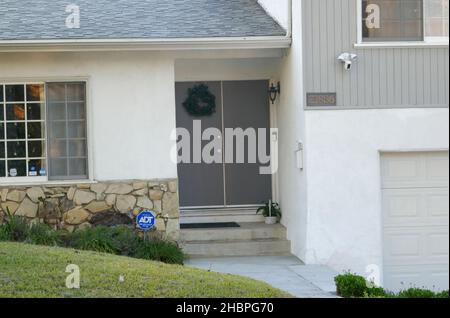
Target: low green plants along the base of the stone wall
(120, 240)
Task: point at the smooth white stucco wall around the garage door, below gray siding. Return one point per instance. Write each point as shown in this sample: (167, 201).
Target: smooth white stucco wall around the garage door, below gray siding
(344, 178)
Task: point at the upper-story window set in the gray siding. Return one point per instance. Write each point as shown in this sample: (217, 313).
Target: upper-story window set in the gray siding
(386, 21)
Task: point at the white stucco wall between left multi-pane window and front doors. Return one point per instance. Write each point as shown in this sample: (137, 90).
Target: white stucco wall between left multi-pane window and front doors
(131, 106)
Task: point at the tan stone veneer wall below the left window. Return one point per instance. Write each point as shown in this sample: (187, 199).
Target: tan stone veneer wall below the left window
(74, 207)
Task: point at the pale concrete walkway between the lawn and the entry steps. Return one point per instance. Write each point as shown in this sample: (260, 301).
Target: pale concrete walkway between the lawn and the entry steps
(287, 273)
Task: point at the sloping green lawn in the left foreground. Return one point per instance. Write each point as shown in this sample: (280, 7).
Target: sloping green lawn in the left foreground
(39, 272)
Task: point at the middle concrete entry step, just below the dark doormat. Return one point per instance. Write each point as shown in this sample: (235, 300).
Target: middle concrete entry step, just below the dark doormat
(247, 231)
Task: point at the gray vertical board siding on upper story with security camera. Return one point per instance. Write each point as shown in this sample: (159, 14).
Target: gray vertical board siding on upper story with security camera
(382, 77)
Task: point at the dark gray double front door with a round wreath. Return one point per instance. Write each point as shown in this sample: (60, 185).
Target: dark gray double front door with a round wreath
(239, 104)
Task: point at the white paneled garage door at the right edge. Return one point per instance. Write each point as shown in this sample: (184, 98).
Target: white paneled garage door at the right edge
(416, 220)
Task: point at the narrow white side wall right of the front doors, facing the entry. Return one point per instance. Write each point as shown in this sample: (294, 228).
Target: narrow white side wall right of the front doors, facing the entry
(291, 117)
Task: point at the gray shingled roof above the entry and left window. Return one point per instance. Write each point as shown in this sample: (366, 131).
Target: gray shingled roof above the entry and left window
(137, 19)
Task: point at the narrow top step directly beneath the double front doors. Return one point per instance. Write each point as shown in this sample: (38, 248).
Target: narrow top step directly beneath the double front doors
(220, 216)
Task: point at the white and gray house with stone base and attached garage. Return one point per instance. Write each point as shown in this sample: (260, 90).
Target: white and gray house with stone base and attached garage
(92, 94)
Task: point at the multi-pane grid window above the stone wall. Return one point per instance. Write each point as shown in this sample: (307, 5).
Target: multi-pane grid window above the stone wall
(43, 132)
